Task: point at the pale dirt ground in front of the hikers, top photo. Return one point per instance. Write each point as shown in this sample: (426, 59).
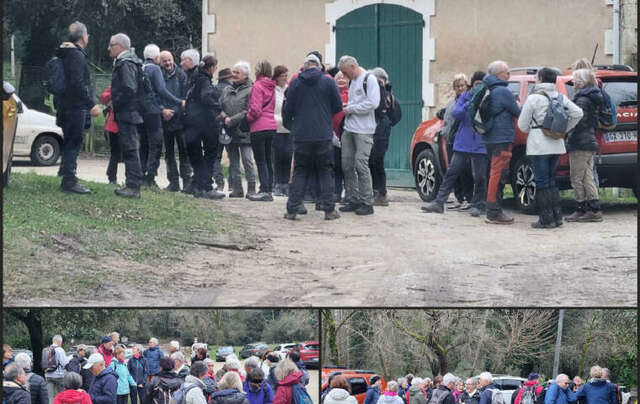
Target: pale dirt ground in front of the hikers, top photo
(397, 257)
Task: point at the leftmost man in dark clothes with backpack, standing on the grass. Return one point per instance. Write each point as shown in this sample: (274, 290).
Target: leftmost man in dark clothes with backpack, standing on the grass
(74, 104)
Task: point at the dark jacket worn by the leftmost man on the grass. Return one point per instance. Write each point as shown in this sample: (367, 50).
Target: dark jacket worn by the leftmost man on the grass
(78, 93)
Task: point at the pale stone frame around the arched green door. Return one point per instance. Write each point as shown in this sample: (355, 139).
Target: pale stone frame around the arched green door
(426, 8)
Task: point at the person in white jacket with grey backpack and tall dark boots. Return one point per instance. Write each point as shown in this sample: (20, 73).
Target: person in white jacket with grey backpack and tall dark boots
(544, 151)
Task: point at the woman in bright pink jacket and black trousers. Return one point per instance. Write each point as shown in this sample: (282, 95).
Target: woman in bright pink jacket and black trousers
(262, 126)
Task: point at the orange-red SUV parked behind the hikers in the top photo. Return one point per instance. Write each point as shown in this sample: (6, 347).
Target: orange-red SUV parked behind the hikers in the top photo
(616, 161)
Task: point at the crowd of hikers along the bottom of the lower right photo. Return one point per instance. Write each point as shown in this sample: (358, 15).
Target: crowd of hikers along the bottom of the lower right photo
(449, 389)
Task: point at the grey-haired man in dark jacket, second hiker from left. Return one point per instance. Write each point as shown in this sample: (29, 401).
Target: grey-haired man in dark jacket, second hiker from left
(126, 95)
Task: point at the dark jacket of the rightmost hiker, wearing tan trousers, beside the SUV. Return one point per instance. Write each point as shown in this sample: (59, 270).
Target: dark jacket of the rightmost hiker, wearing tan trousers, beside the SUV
(583, 136)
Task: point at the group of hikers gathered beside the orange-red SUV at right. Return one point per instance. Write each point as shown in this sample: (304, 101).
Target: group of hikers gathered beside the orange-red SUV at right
(480, 136)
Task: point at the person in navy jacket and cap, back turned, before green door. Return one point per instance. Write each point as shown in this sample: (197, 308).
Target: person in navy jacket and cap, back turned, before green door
(312, 100)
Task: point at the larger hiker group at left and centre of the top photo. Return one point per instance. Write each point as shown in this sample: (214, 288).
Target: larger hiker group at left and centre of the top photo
(309, 136)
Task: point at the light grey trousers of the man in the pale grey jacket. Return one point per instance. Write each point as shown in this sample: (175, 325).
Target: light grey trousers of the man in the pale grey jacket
(356, 149)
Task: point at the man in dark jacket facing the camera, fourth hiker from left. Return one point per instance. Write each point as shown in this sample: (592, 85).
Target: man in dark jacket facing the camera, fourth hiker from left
(176, 82)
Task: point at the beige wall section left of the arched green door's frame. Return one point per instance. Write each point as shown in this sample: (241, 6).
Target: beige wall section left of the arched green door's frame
(281, 31)
